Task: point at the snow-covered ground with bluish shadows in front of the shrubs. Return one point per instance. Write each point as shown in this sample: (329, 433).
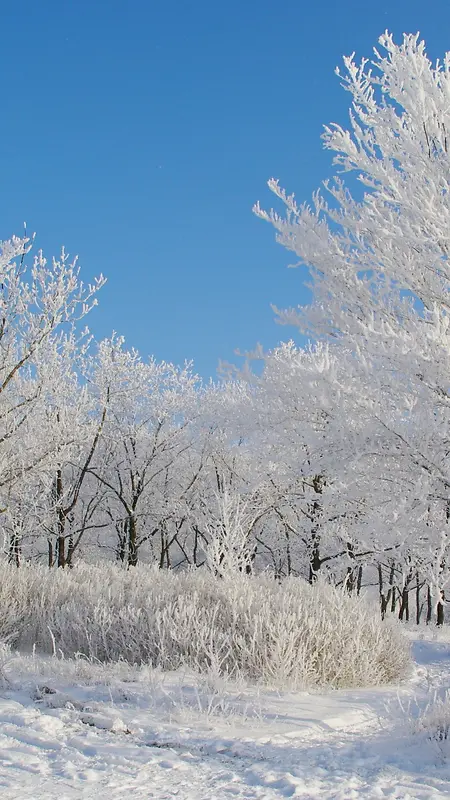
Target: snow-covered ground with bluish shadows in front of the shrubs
(70, 729)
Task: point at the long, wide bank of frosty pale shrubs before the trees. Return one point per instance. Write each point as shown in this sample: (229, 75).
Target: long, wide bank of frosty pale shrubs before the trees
(288, 633)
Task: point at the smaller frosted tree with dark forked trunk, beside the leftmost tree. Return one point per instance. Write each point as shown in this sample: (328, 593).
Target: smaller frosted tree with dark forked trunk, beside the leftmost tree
(142, 457)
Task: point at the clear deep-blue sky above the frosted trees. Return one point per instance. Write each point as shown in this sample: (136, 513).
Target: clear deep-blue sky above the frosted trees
(139, 134)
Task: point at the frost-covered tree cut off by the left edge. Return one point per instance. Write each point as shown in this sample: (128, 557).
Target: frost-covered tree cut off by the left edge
(40, 307)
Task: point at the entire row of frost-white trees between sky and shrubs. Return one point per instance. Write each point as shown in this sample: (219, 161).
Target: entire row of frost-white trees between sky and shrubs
(332, 458)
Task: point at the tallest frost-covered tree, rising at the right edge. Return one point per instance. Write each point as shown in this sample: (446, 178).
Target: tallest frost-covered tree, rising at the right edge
(379, 263)
